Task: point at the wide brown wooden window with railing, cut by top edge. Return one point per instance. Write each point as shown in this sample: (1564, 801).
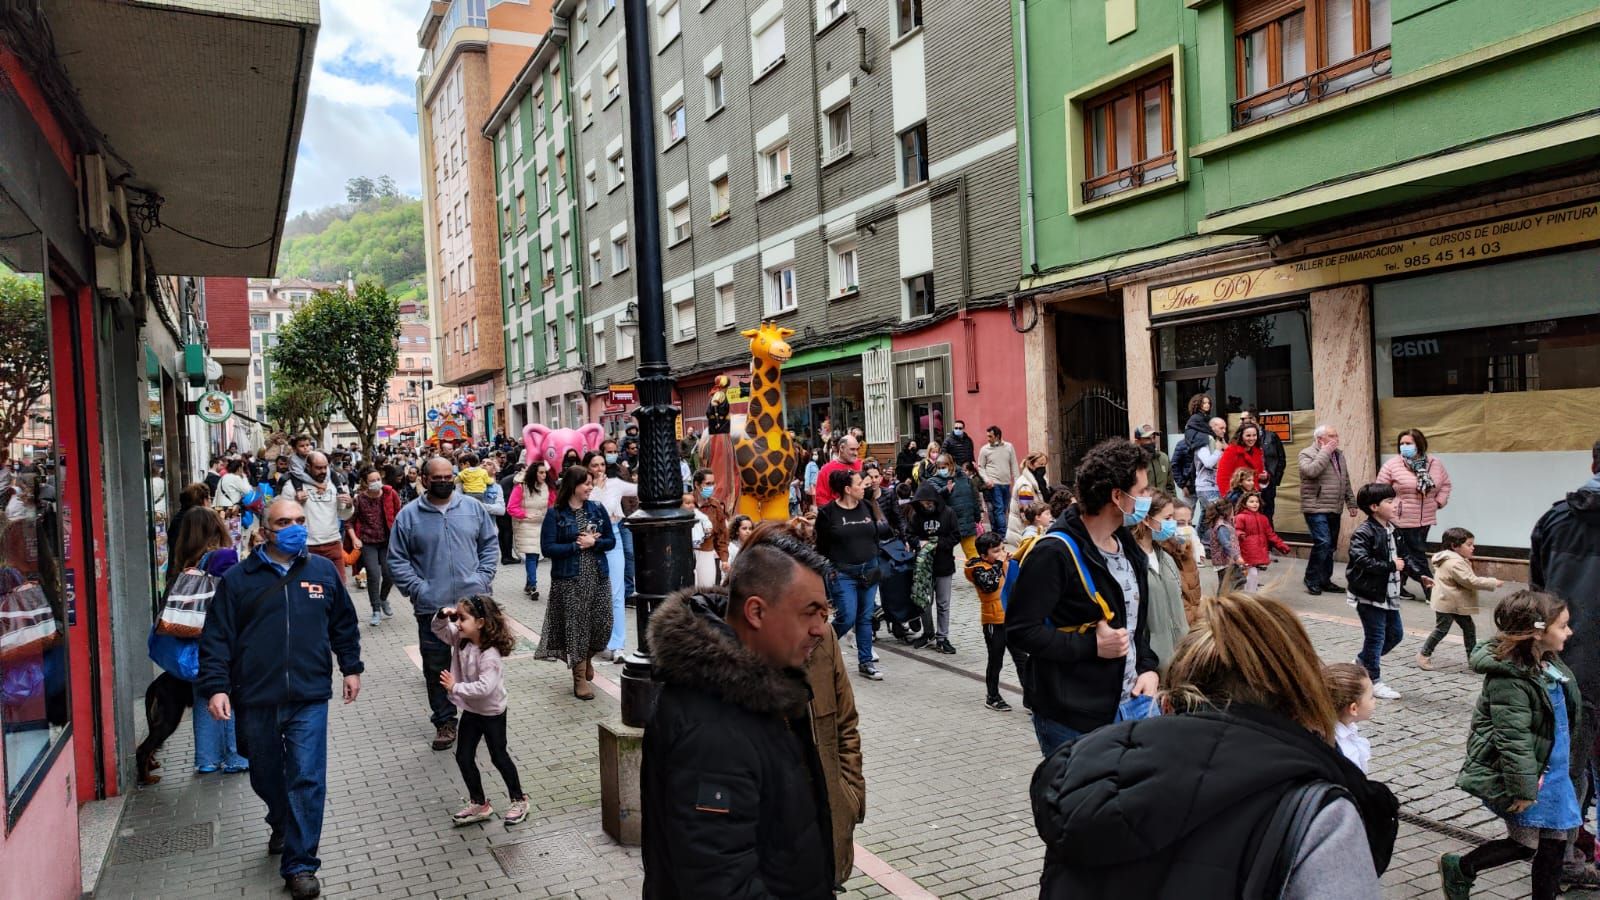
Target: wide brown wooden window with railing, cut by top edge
(1297, 52)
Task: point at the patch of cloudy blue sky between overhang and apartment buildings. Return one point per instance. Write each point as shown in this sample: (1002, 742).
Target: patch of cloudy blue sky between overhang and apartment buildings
(362, 111)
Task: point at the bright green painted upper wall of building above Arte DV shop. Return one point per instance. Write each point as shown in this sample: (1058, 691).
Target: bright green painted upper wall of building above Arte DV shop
(1068, 52)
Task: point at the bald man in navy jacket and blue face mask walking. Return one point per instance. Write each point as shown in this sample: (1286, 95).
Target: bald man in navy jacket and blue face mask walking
(271, 632)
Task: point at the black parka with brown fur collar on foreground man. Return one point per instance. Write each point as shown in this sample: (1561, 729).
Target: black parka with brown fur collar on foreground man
(732, 787)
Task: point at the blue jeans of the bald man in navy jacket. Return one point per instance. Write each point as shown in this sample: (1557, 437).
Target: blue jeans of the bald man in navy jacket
(289, 771)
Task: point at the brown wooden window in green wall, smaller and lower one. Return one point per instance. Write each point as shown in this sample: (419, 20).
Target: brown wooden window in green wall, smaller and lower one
(1129, 135)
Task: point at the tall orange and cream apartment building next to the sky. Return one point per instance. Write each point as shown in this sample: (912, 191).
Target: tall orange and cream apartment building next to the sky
(471, 54)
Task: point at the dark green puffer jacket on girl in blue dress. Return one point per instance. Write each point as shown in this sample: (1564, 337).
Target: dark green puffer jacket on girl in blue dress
(1513, 729)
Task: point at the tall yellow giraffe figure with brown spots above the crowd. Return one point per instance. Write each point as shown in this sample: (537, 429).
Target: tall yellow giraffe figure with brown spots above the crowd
(766, 454)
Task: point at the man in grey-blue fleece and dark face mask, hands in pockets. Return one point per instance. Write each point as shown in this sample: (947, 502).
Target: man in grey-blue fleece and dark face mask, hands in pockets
(444, 548)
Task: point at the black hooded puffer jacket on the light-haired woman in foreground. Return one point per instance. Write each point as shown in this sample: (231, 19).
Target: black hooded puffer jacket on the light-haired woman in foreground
(1178, 808)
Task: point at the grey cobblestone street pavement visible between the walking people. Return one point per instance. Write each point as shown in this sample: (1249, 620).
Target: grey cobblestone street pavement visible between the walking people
(946, 781)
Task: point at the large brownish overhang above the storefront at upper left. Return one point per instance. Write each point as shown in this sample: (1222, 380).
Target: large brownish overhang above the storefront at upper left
(202, 102)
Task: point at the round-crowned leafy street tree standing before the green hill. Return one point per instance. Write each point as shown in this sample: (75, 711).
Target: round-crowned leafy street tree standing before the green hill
(345, 344)
